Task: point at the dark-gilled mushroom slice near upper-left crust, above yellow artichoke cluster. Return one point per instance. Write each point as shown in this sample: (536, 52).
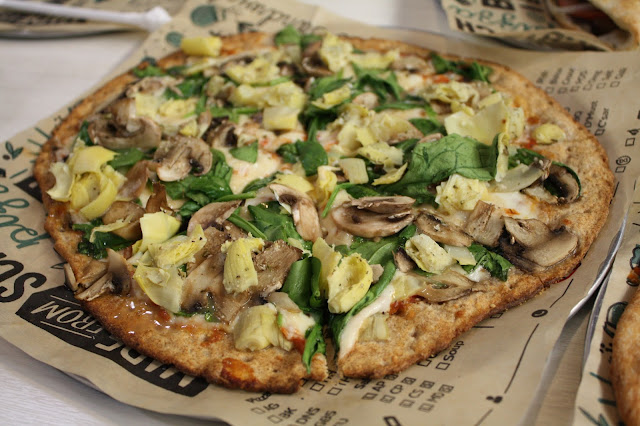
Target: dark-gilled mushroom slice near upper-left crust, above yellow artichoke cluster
(119, 128)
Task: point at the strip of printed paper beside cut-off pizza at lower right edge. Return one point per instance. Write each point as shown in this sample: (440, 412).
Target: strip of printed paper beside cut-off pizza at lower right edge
(595, 401)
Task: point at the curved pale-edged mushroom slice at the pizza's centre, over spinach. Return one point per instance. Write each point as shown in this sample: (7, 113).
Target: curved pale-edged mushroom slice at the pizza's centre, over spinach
(303, 210)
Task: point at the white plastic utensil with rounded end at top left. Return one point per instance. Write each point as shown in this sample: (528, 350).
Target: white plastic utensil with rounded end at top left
(150, 20)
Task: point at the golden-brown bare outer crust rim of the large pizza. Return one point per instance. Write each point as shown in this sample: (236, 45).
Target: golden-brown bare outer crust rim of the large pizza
(418, 329)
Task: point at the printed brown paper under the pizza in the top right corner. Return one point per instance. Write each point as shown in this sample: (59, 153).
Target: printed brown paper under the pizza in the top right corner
(526, 23)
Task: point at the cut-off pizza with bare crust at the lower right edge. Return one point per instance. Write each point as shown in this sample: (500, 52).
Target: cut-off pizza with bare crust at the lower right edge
(624, 355)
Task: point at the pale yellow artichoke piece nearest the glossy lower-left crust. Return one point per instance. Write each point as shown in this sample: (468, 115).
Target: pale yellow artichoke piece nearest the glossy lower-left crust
(162, 285)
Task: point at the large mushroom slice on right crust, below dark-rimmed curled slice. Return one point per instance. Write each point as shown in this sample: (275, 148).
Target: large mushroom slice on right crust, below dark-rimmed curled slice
(532, 246)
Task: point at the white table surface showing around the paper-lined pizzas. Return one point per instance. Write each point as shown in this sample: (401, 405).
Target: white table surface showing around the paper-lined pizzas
(37, 77)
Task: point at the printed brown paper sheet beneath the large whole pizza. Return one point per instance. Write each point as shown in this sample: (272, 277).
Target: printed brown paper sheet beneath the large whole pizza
(489, 375)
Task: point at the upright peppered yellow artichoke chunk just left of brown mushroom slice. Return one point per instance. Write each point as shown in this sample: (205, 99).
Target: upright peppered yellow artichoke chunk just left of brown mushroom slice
(239, 271)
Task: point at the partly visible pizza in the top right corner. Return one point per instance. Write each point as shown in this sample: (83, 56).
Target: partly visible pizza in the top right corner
(614, 22)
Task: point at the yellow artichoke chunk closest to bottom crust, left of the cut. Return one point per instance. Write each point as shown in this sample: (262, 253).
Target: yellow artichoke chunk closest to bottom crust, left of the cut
(257, 328)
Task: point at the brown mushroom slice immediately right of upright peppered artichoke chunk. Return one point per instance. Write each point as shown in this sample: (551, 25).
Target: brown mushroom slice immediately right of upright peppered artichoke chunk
(272, 265)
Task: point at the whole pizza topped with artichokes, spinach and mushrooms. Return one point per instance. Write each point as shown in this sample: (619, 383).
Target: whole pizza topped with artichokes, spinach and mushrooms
(255, 209)
